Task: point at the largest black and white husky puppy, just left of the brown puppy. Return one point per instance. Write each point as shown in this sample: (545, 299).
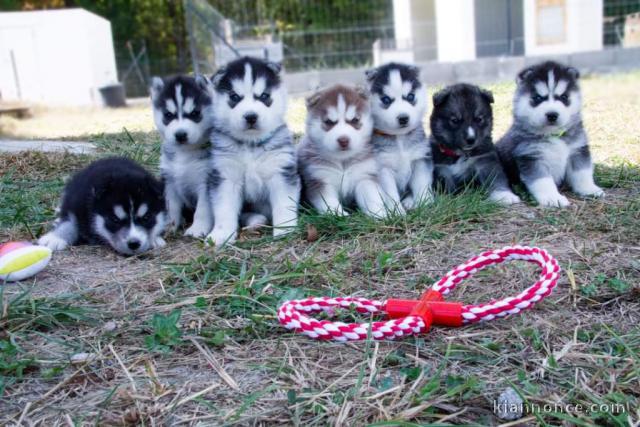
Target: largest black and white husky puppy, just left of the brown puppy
(253, 160)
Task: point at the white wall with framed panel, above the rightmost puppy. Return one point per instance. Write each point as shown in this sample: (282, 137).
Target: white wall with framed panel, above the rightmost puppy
(582, 21)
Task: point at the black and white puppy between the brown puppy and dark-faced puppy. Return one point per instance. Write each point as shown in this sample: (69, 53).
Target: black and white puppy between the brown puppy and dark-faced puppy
(398, 104)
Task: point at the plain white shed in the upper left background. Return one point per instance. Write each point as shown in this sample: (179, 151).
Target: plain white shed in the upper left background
(55, 57)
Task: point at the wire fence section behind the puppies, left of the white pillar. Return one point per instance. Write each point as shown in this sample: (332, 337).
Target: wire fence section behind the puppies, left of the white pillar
(303, 34)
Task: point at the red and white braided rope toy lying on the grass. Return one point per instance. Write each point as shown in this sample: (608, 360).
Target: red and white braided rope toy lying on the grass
(411, 317)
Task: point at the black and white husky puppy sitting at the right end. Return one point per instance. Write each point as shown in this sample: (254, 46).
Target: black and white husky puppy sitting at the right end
(547, 145)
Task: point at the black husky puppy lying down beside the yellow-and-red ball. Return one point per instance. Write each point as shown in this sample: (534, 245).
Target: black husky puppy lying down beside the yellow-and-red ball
(114, 202)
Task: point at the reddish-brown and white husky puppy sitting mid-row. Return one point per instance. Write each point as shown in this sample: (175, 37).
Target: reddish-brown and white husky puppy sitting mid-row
(336, 158)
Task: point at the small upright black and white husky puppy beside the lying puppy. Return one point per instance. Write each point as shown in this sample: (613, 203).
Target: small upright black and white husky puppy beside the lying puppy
(182, 113)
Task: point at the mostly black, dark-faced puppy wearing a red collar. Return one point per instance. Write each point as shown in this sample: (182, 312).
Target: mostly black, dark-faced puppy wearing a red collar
(463, 151)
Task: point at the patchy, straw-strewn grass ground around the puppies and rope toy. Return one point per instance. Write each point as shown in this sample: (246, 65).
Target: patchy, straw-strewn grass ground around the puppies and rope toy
(188, 335)
